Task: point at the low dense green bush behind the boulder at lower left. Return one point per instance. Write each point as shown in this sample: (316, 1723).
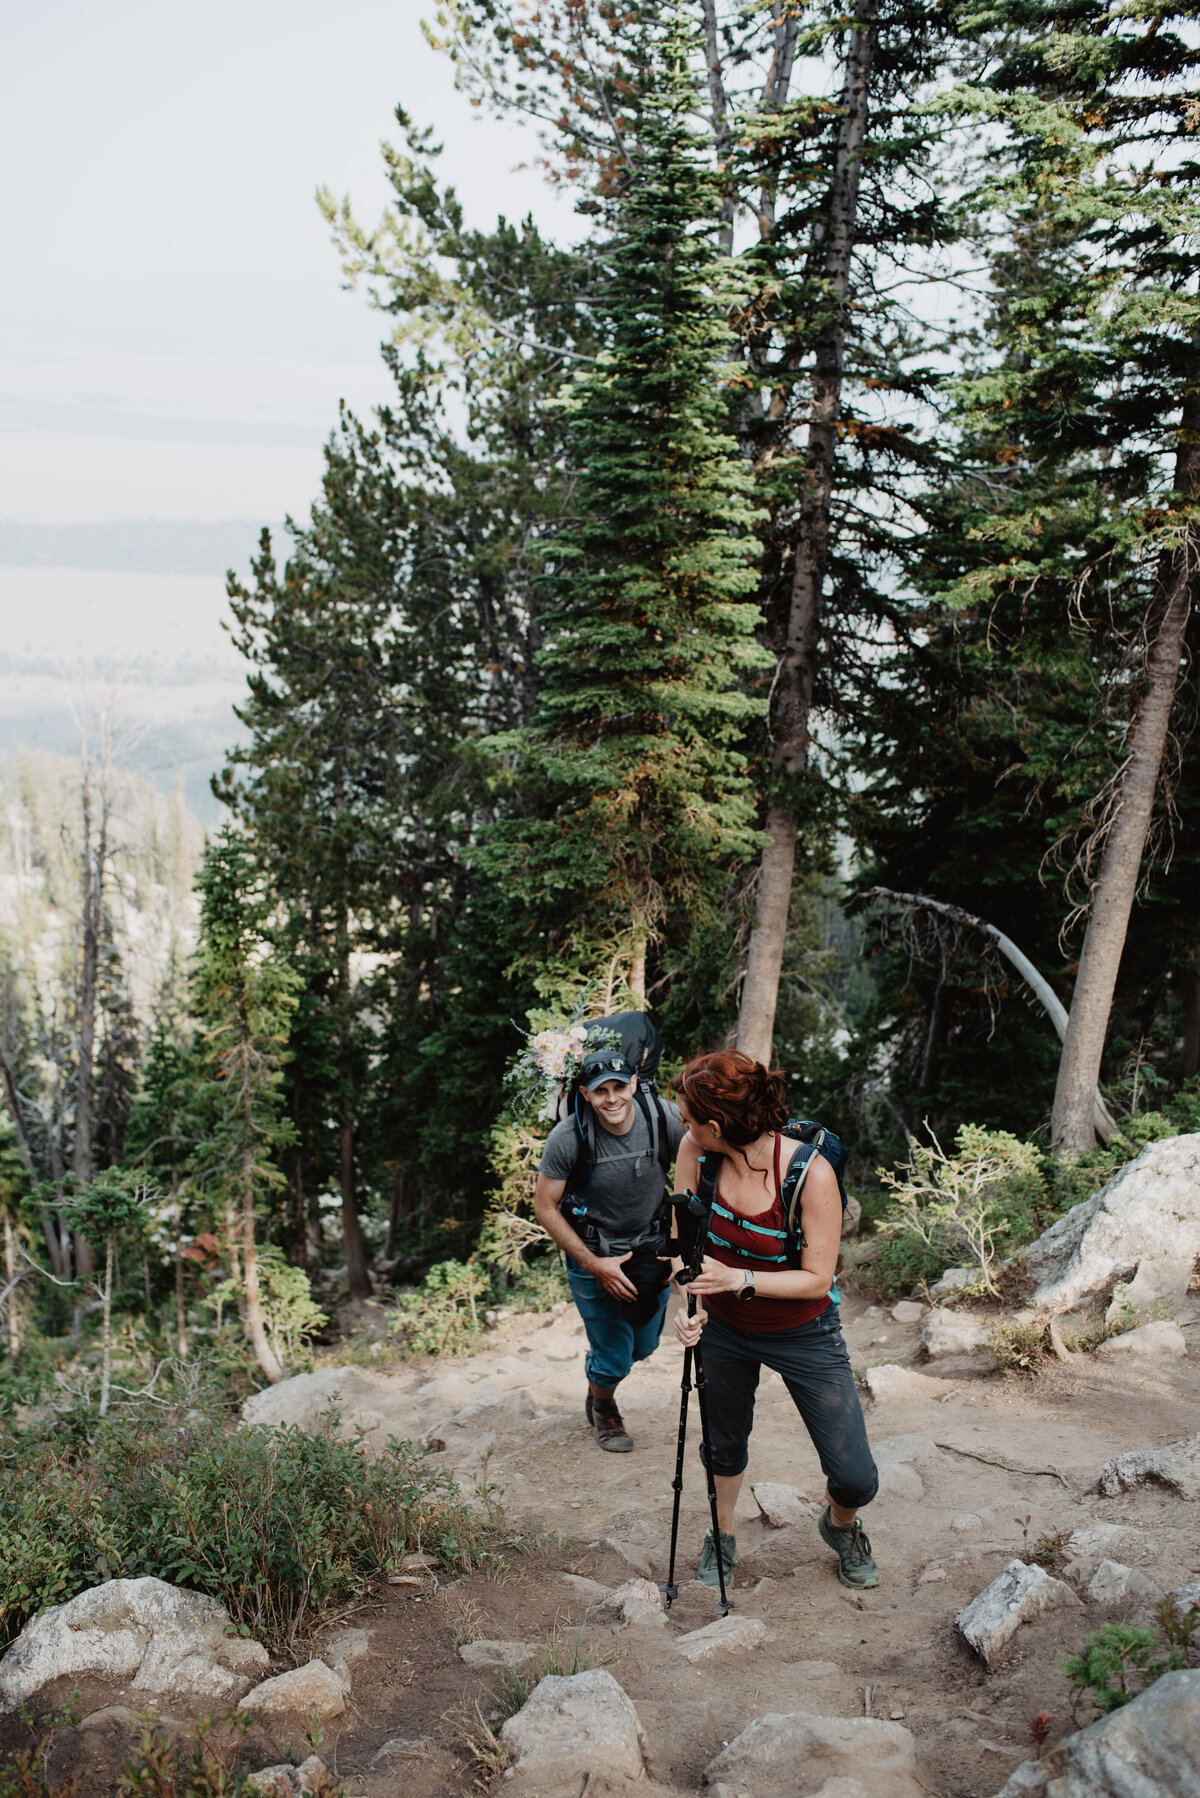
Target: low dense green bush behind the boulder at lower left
(276, 1524)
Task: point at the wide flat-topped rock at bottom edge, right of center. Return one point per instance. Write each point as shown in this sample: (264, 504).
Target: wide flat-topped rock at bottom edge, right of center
(798, 1756)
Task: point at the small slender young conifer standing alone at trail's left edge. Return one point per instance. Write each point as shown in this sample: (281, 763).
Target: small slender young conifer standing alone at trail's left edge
(244, 999)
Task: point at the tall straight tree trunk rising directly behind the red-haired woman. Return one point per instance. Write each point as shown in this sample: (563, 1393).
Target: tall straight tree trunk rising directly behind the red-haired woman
(830, 262)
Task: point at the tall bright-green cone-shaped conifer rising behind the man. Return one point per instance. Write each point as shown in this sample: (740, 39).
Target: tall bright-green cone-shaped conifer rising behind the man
(632, 770)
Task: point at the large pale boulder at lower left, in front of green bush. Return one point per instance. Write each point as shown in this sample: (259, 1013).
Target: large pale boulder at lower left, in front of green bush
(145, 1637)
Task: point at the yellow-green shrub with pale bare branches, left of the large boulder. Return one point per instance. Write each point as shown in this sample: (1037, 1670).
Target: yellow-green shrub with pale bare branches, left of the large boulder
(967, 1207)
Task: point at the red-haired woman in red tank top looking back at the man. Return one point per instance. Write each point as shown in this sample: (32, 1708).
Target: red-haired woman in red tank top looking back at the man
(757, 1312)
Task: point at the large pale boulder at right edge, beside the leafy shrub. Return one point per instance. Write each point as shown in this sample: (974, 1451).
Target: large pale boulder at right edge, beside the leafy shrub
(1149, 1211)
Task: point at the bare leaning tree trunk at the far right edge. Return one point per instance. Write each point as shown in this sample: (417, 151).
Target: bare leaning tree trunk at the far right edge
(1122, 860)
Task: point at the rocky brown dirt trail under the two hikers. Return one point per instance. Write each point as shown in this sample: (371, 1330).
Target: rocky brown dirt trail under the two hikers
(965, 1454)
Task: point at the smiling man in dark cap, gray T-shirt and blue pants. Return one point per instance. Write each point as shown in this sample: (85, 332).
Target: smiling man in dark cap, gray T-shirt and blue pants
(602, 1195)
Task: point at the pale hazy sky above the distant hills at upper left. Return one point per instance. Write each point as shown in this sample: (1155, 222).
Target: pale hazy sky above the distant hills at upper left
(174, 335)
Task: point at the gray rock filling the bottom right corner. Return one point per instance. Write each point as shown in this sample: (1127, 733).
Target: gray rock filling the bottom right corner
(1145, 1750)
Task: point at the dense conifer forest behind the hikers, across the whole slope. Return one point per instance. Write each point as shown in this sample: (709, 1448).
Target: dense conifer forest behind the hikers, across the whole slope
(771, 609)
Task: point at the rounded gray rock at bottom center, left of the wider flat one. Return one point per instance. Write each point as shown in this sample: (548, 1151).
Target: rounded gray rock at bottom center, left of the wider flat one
(573, 1725)
